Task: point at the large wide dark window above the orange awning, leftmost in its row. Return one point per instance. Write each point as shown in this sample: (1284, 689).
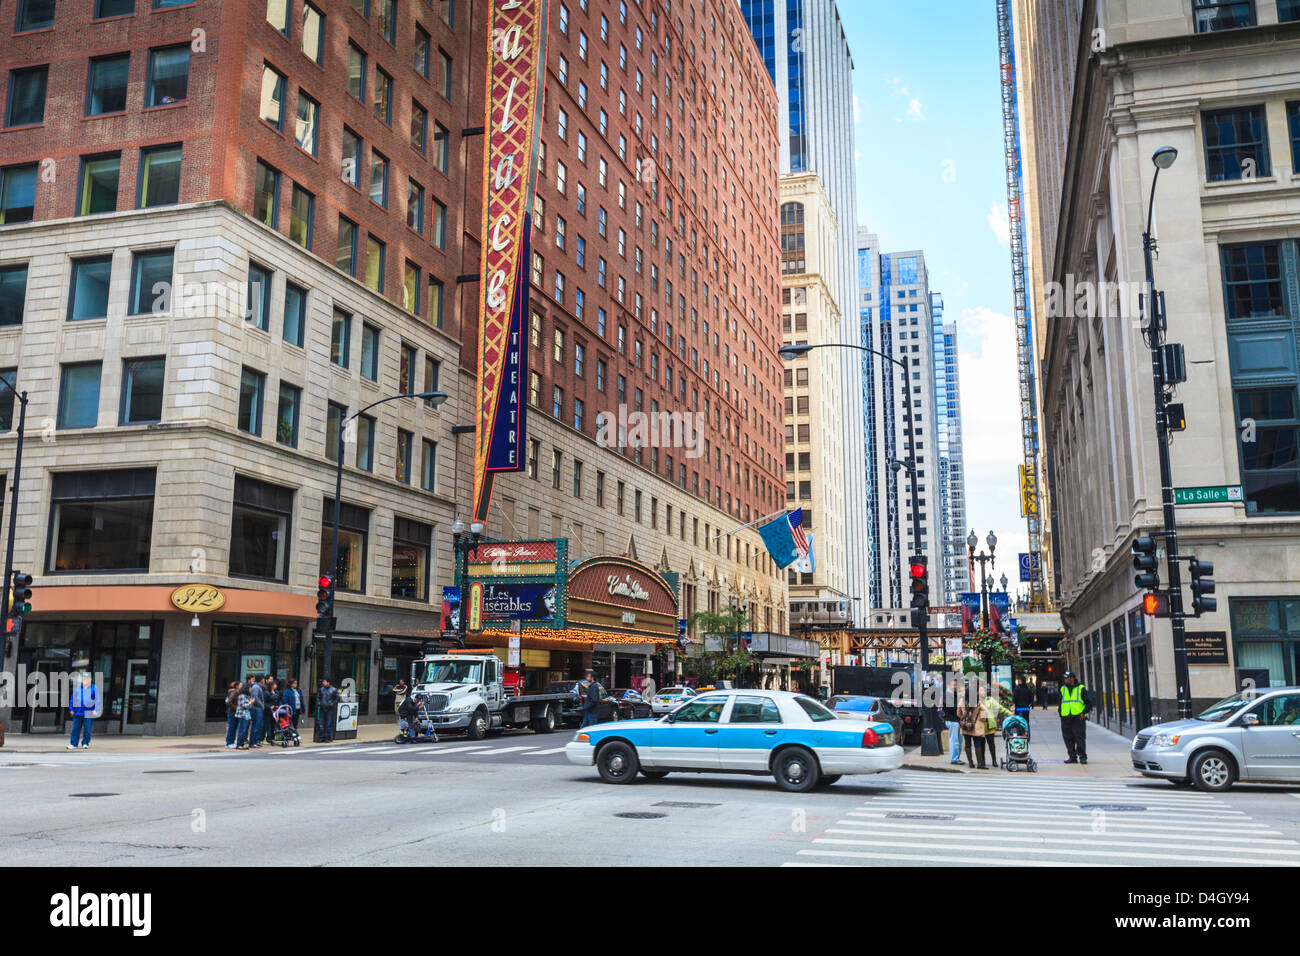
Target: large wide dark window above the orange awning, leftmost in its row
(101, 521)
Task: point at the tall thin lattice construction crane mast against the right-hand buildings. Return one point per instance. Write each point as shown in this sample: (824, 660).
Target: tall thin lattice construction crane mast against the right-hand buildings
(1024, 321)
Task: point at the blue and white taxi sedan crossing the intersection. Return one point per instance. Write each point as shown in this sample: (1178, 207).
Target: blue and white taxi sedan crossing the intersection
(779, 733)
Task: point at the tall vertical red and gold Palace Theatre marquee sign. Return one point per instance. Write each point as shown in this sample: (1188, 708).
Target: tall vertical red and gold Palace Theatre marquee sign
(517, 64)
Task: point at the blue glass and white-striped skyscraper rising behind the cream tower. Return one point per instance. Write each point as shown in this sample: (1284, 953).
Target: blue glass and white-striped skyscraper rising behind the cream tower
(804, 47)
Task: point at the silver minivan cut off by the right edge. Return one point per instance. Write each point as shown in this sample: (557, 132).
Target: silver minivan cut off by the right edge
(1249, 737)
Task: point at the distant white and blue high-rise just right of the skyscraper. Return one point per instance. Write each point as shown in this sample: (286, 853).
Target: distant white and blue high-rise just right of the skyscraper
(896, 319)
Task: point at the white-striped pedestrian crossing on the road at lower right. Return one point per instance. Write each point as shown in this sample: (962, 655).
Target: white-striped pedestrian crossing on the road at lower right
(920, 817)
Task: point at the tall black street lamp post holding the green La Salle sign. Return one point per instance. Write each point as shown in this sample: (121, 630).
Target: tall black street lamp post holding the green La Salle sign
(1164, 159)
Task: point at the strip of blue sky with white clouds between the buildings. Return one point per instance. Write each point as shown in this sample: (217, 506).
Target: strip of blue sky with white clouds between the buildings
(931, 176)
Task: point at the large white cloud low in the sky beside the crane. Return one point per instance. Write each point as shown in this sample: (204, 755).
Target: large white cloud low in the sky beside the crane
(991, 427)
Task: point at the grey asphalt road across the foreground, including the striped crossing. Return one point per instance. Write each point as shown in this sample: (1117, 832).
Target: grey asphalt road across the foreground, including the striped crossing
(517, 801)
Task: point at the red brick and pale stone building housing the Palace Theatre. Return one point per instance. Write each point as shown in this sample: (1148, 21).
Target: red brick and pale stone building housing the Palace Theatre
(210, 258)
